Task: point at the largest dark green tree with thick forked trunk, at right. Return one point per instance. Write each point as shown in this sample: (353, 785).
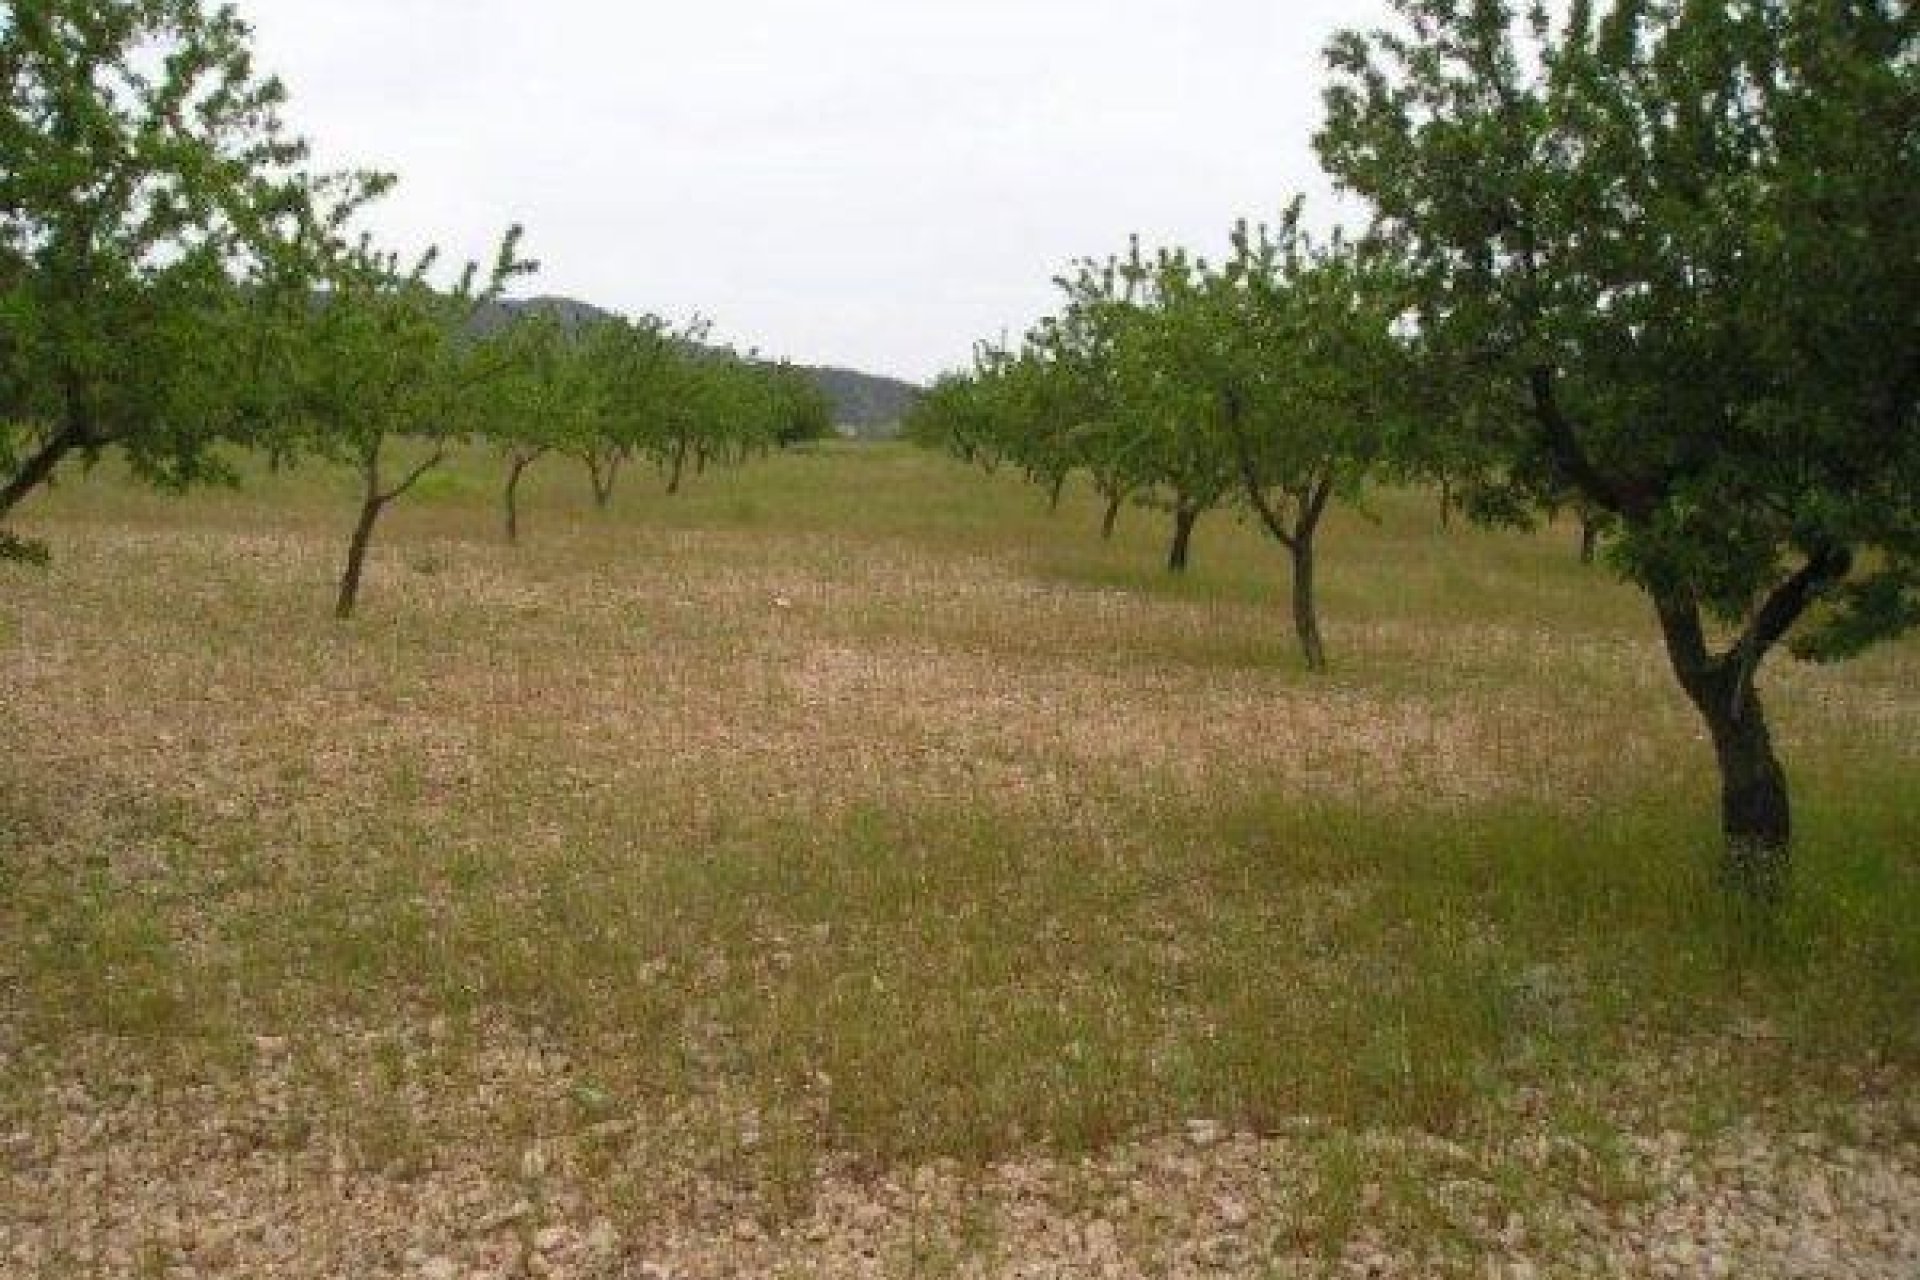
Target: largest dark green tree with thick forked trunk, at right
(1685, 243)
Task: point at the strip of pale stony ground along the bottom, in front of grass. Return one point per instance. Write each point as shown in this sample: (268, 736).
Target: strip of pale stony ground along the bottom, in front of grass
(191, 1183)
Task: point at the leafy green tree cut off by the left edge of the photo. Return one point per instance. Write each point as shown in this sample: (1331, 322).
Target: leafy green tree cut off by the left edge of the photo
(155, 222)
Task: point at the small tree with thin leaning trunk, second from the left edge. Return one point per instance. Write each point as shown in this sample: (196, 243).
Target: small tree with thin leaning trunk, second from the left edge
(385, 356)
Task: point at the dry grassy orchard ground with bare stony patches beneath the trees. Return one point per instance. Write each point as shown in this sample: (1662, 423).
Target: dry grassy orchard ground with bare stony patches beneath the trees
(850, 843)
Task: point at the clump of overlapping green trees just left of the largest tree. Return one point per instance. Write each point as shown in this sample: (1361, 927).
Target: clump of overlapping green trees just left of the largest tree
(1276, 379)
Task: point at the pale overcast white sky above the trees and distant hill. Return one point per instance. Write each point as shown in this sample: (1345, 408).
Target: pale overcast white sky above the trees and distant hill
(869, 183)
